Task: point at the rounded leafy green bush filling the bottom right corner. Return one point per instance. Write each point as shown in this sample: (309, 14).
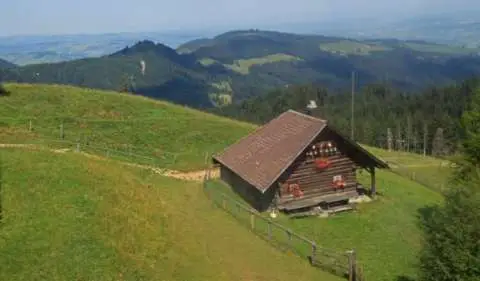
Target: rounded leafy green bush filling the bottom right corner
(452, 236)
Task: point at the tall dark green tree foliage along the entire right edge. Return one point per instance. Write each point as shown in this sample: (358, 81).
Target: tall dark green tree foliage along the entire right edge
(452, 232)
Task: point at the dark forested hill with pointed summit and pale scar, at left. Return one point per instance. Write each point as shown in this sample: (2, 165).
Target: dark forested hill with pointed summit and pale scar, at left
(166, 74)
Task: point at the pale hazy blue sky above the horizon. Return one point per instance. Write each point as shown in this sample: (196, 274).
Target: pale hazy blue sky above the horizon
(47, 17)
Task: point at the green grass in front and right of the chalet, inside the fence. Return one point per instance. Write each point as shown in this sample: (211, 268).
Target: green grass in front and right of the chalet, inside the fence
(385, 233)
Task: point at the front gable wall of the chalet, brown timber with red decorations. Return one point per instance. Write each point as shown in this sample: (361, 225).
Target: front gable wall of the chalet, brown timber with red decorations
(318, 185)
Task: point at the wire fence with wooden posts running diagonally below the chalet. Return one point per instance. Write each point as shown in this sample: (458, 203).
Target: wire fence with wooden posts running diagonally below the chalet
(341, 263)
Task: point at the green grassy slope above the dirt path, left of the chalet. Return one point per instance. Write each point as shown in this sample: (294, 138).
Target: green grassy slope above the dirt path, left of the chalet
(179, 137)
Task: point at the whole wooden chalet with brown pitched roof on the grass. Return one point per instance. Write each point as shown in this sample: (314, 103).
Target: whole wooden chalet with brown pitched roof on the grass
(296, 162)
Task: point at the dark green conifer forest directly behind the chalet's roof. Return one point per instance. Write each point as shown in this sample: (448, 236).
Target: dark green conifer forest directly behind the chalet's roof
(376, 108)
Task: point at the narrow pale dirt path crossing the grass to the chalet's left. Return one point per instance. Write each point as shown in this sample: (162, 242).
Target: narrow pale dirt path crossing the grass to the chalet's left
(188, 176)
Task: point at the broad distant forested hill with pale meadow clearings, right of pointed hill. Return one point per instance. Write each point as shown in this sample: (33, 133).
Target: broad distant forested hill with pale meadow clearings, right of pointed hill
(266, 59)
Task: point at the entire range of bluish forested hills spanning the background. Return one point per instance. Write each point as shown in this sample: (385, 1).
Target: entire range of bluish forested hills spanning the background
(237, 65)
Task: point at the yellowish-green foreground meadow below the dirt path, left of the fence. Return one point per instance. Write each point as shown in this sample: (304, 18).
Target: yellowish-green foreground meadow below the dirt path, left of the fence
(69, 217)
